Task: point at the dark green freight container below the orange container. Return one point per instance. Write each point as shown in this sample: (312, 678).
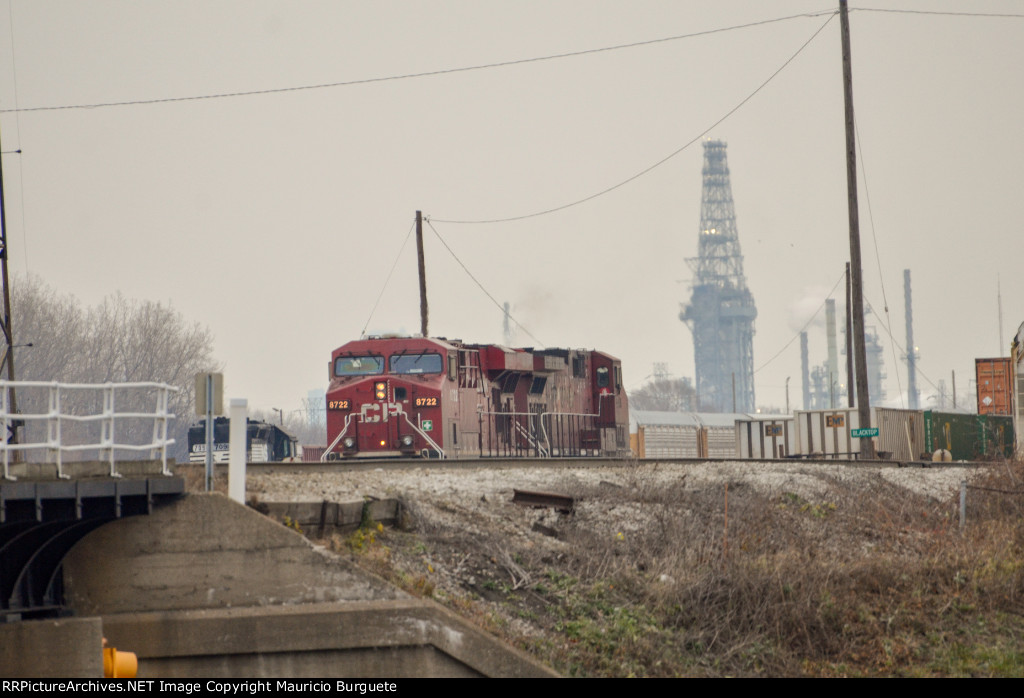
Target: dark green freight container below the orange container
(970, 438)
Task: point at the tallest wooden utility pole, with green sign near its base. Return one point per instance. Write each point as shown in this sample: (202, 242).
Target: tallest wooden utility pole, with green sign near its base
(857, 282)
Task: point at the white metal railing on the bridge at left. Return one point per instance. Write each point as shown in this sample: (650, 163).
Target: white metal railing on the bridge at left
(108, 418)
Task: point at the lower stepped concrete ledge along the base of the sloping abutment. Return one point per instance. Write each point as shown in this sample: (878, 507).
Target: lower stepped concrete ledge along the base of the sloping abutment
(379, 639)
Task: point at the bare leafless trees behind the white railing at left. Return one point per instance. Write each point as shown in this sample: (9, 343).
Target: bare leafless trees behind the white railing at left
(118, 341)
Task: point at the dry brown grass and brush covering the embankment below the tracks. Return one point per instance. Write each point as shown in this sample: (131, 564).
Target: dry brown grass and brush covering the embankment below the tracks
(734, 581)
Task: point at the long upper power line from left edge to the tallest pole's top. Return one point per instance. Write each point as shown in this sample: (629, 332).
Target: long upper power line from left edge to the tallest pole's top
(411, 76)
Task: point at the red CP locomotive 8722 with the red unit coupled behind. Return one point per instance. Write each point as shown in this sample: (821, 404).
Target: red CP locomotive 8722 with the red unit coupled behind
(435, 398)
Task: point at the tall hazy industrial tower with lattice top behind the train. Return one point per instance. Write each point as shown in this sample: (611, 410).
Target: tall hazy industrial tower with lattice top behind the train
(721, 311)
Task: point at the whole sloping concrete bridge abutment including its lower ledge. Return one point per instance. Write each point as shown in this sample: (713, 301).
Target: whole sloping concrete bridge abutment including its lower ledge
(208, 588)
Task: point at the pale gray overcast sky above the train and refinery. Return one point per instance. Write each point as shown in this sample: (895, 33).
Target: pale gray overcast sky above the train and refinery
(275, 219)
